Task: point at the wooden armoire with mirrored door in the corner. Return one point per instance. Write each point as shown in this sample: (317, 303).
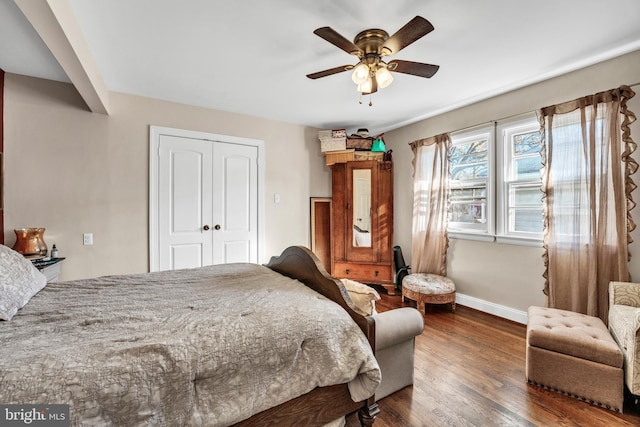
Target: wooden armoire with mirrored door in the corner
(362, 222)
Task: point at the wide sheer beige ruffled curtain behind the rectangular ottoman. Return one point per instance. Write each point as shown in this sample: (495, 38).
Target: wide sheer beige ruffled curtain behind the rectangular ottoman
(587, 183)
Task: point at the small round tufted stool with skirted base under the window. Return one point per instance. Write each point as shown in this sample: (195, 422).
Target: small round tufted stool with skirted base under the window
(426, 288)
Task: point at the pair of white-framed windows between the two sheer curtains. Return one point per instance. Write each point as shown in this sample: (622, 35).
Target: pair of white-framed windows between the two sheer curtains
(511, 165)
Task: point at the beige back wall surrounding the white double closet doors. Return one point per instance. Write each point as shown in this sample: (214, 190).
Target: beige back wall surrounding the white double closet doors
(73, 172)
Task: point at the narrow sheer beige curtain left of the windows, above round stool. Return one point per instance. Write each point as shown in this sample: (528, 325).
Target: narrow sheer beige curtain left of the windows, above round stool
(430, 205)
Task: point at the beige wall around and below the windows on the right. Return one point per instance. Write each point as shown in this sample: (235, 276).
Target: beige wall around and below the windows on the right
(507, 275)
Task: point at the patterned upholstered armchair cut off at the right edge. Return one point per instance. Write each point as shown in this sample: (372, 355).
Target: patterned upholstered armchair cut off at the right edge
(624, 325)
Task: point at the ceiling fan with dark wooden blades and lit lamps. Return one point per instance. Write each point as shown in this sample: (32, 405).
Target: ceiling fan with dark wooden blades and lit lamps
(370, 46)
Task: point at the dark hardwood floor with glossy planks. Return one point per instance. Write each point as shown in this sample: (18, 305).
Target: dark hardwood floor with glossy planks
(470, 371)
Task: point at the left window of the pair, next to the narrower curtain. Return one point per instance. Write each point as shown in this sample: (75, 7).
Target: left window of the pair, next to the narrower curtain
(471, 182)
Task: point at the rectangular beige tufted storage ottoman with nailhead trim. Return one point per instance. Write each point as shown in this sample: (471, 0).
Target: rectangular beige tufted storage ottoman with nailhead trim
(574, 354)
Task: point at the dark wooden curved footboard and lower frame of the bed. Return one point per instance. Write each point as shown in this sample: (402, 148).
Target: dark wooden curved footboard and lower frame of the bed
(323, 404)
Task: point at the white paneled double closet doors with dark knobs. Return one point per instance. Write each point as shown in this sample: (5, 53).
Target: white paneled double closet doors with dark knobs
(207, 203)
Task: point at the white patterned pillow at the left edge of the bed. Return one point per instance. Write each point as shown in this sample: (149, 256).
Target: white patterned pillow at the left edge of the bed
(19, 281)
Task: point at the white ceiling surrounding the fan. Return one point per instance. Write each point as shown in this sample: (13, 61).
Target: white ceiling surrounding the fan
(252, 56)
